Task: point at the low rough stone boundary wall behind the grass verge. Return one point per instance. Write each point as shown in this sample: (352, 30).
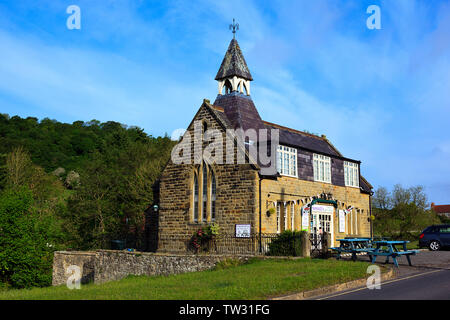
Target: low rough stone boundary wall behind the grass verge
(107, 265)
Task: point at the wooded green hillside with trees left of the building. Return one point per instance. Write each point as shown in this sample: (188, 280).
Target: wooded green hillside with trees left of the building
(70, 186)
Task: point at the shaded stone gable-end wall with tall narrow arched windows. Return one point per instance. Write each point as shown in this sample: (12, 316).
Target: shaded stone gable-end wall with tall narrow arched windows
(235, 195)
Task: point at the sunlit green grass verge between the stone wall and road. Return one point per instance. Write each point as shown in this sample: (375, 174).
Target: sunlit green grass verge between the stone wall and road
(258, 279)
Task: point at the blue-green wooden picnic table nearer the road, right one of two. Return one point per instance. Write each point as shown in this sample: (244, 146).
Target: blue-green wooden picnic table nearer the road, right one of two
(391, 249)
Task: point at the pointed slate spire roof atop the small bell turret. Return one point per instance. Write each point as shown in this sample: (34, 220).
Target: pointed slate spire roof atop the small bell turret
(233, 63)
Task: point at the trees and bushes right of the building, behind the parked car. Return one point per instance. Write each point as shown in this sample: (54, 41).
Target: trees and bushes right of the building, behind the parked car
(402, 214)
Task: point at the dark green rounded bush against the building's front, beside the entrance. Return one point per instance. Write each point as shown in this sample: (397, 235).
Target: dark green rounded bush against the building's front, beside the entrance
(287, 243)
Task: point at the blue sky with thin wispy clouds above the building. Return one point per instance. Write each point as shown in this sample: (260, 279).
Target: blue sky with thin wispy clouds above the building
(380, 96)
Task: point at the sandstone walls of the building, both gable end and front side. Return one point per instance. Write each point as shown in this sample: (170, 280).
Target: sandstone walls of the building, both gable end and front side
(238, 196)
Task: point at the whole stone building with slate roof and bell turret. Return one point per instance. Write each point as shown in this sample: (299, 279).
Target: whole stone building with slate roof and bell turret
(308, 185)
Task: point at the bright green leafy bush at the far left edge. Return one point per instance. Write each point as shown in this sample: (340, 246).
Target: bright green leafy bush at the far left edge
(26, 244)
